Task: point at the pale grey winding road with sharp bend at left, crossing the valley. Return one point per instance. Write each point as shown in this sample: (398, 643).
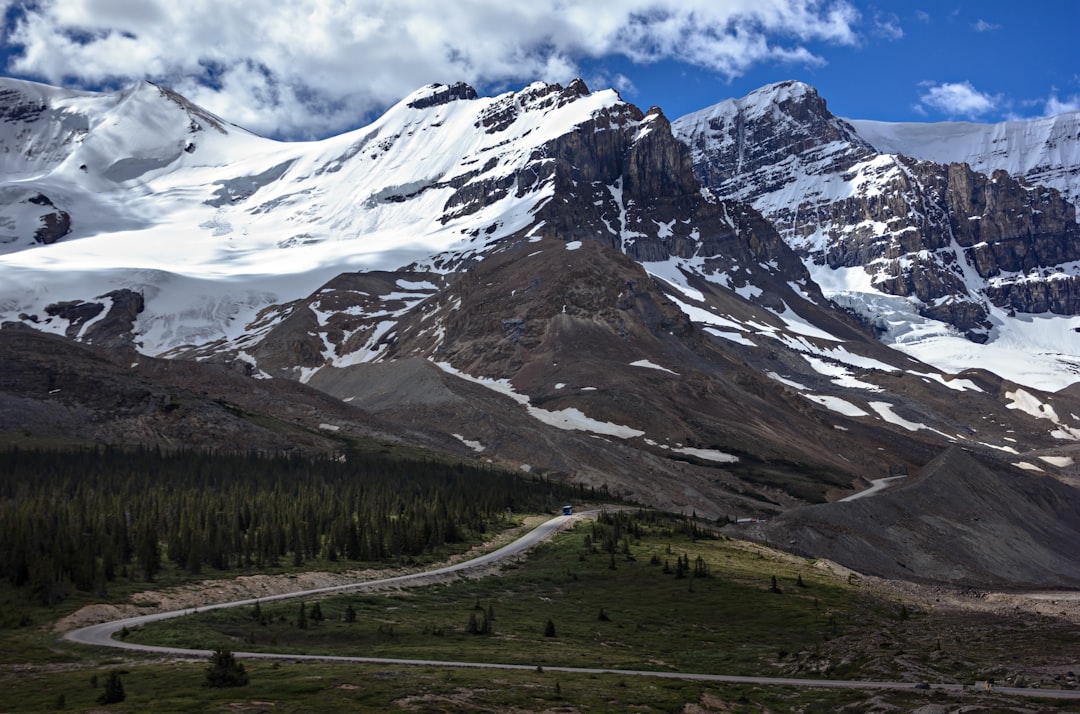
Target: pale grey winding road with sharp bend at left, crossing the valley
(102, 635)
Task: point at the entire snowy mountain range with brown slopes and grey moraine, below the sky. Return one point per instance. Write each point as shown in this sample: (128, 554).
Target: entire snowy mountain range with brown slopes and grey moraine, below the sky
(751, 312)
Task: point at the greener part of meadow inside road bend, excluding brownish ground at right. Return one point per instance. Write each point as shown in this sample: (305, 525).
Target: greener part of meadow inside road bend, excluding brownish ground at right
(730, 623)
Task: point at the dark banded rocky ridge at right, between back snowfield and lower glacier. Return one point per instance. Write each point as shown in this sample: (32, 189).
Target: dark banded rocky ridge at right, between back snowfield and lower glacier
(952, 240)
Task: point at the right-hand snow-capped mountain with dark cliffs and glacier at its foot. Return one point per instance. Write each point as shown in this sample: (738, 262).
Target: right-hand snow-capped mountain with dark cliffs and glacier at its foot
(992, 258)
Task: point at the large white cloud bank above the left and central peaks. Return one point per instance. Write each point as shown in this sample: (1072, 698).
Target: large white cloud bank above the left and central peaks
(321, 66)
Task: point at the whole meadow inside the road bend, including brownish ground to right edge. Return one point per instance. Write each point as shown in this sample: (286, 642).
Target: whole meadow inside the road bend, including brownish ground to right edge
(732, 623)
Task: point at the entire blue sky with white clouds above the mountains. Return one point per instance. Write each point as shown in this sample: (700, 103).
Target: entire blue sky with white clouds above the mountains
(310, 69)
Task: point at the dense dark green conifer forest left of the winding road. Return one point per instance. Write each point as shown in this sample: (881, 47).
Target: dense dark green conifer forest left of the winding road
(82, 519)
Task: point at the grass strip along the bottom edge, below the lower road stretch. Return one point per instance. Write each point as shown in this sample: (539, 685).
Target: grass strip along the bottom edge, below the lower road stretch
(315, 688)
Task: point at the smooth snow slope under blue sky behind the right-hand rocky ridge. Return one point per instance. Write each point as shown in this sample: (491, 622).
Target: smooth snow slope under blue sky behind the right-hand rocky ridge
(1045, 152)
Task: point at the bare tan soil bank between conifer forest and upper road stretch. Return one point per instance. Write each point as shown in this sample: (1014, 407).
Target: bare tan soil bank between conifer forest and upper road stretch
(227, 590)
